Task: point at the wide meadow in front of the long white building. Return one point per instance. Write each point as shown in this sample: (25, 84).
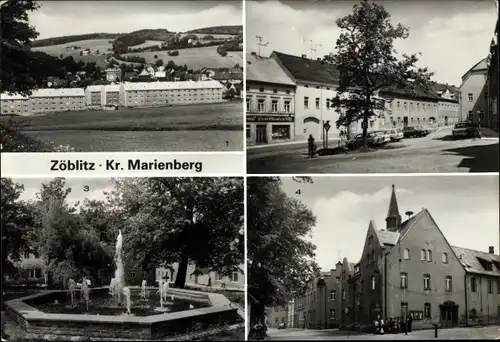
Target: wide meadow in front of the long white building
(206, 127)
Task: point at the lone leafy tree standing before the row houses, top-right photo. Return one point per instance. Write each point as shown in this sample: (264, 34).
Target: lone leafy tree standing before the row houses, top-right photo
(367, 63)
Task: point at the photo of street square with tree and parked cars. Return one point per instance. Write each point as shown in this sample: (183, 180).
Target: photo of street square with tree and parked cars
(371, 86)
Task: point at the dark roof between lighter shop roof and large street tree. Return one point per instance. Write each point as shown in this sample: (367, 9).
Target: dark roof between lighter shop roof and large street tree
(308, 70)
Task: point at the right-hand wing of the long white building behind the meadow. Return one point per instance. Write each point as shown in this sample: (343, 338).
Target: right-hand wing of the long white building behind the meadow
(151, 94)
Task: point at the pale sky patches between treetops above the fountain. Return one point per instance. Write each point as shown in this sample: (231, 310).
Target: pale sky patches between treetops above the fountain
(96, 188)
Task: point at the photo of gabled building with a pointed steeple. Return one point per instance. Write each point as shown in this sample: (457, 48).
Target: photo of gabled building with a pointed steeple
(373, 258)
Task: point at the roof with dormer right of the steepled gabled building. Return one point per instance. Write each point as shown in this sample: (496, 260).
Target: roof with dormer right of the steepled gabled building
(469, 259)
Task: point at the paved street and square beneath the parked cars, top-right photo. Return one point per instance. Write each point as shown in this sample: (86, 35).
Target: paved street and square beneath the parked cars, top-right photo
(436, 153)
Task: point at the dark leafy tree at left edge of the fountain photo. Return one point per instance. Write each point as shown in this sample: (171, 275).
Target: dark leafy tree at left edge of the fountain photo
(16, 218)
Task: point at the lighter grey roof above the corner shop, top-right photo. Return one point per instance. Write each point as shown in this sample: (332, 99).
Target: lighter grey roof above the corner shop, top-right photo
(267, 70)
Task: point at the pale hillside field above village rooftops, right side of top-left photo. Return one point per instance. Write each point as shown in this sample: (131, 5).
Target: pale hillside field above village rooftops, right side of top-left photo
(195, 58)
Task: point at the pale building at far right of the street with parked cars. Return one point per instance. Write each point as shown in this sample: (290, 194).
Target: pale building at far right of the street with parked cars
(472, 91)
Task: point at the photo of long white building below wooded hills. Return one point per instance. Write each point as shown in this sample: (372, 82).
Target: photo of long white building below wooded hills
(131, 76)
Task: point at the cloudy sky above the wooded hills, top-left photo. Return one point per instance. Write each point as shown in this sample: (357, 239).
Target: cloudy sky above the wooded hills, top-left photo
(62, 18)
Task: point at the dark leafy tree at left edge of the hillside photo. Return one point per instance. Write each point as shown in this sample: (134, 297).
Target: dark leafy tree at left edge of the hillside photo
(16, 38)
